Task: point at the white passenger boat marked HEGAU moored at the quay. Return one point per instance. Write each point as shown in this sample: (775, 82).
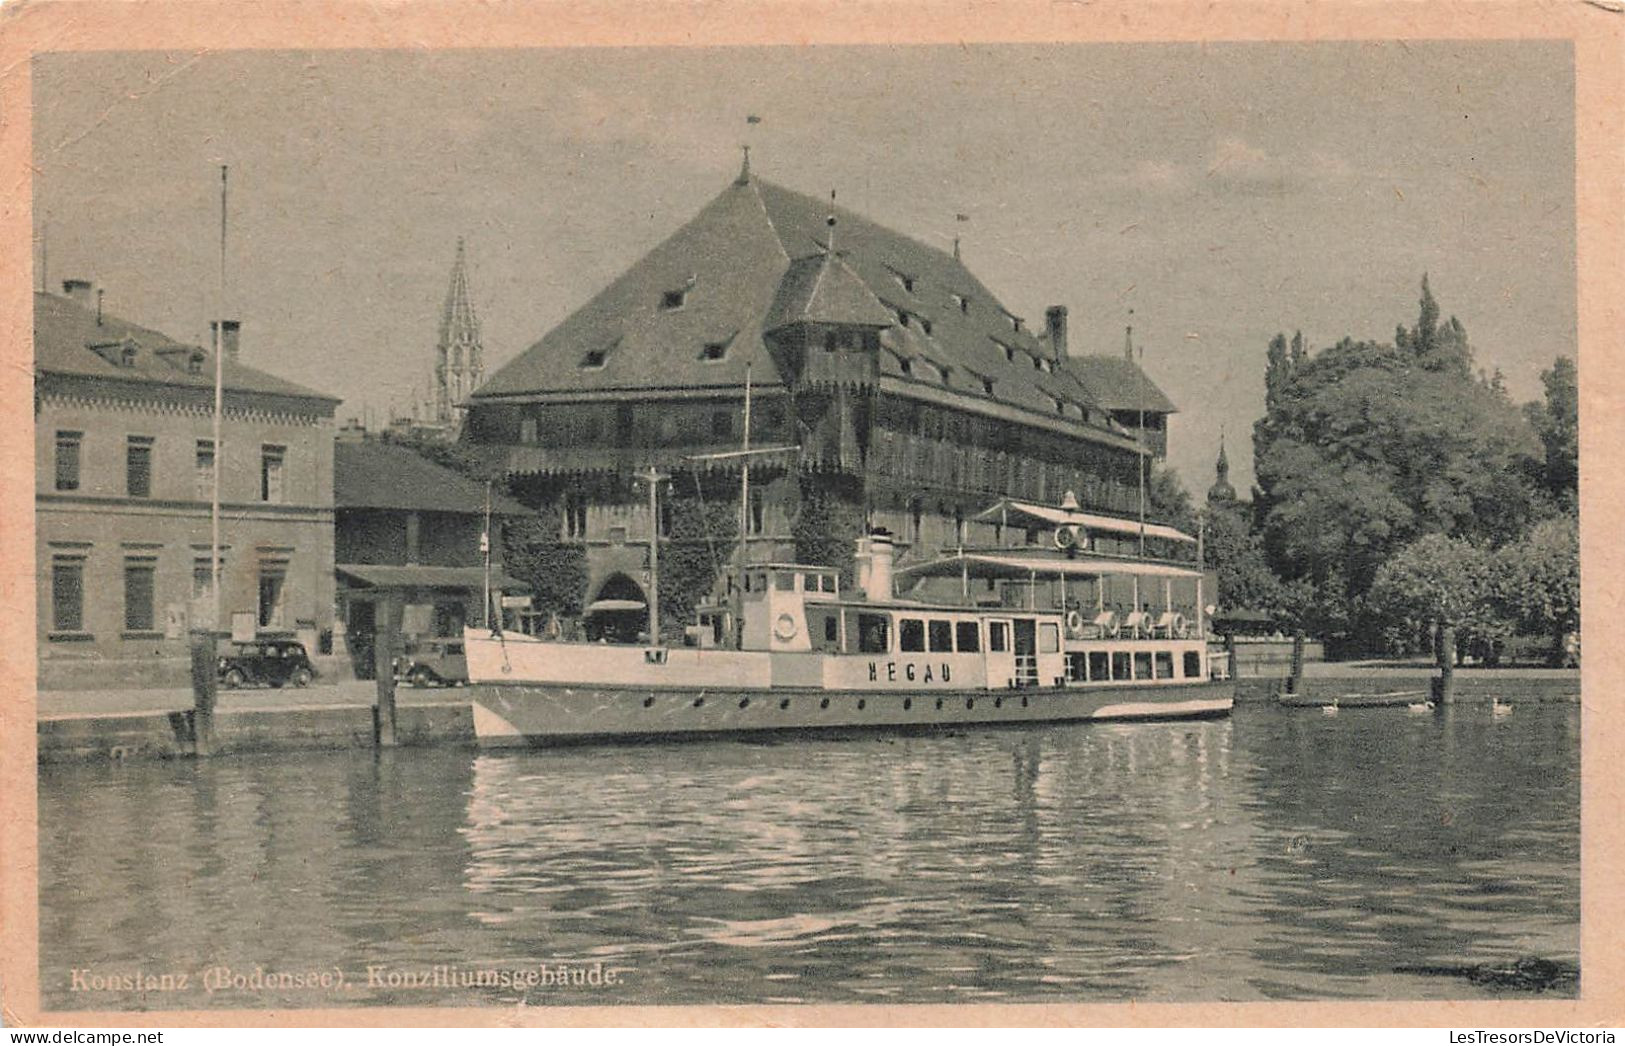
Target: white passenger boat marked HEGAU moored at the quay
(1034, 634)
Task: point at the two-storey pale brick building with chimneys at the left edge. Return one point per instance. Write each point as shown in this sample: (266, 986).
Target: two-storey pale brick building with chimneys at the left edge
(124, 478)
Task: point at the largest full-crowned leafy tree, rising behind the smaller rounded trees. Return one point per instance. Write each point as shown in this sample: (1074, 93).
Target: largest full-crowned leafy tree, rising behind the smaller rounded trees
(1367, 447)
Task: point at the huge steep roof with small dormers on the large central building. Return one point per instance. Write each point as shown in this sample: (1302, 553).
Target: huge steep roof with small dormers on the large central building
(727, 277)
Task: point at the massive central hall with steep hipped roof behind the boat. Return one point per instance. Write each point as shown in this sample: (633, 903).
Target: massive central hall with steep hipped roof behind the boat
(904, 392)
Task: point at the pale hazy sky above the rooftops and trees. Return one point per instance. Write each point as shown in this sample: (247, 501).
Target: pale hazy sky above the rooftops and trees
(1211, 196)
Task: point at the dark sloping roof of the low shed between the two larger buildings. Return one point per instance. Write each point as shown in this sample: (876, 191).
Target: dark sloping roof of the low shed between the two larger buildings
(373, 475)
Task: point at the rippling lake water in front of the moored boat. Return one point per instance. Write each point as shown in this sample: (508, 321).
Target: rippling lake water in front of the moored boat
(1275, 855)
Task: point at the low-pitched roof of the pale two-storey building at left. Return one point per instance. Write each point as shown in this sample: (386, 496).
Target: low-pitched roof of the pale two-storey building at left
(66, 334)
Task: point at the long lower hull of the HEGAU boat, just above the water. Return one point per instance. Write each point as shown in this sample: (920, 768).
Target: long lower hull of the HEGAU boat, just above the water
(527, 715)
